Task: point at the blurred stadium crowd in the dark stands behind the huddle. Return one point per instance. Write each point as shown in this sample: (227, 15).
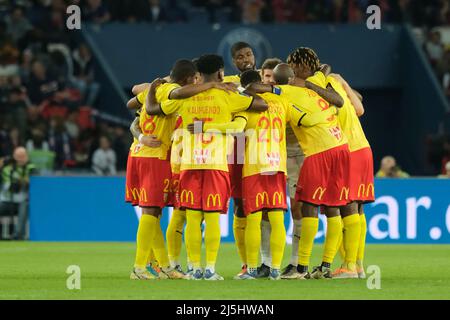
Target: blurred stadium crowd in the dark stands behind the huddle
(48, 87)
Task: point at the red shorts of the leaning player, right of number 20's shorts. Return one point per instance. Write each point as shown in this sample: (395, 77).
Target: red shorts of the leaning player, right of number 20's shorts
(324, 178)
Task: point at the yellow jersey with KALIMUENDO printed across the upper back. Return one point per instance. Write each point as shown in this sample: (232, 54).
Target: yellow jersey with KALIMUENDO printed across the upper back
(206, 151)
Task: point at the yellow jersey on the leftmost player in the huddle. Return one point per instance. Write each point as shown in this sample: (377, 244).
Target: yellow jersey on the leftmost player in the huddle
(159, 126)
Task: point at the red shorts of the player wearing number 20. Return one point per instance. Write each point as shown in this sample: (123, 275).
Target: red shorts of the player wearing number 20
(264, 192)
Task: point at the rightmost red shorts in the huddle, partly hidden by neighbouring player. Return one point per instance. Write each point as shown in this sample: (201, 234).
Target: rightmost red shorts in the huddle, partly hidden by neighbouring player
(361, 176)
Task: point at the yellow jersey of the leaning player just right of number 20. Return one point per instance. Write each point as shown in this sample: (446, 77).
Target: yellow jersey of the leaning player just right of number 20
(318, 138)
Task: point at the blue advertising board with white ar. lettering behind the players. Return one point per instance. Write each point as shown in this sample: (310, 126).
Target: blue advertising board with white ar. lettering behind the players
(93, 209)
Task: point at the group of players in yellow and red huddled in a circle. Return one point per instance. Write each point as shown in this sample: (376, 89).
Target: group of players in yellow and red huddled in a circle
(202, 137)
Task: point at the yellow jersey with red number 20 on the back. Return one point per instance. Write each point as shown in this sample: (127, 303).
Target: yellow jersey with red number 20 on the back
(265, 147)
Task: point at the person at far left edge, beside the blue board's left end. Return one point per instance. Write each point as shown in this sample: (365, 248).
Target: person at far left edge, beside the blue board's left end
(14, 192)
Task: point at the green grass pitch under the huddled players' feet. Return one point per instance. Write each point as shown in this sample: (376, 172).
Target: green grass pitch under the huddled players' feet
(38, 271)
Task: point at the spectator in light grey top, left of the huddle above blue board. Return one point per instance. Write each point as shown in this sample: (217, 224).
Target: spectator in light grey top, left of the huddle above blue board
(104, 159)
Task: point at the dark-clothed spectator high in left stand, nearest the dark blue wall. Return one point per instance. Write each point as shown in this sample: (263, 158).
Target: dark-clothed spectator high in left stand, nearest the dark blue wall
(83, 65)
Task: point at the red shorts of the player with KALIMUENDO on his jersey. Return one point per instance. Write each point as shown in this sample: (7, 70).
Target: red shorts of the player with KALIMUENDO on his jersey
(205, 190)
